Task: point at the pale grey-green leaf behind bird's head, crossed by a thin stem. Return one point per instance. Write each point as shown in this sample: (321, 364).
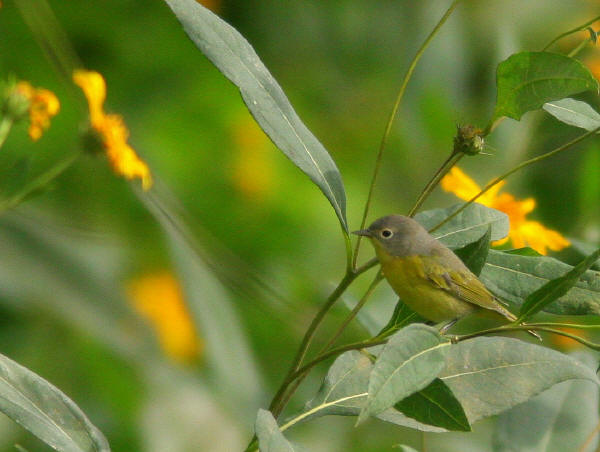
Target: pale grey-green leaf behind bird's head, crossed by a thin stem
(467, 227)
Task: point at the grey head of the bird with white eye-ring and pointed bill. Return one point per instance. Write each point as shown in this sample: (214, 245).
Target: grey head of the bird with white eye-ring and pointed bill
(399, 236)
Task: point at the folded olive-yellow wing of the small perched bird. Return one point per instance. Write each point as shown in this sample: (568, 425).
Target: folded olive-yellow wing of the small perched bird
(464, 285)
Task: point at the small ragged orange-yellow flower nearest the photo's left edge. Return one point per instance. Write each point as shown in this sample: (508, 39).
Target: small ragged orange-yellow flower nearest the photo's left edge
(43, 105)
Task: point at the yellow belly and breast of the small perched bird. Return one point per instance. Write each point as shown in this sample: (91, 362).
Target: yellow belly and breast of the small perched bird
(407, 278)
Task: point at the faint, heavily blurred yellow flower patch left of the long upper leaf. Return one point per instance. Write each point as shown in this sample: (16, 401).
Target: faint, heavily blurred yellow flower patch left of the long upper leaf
(252, 166)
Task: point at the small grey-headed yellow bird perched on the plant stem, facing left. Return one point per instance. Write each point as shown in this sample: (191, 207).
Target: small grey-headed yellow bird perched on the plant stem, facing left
(426, 275)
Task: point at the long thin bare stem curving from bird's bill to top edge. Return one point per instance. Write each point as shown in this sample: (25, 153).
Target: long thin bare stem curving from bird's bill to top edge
(390, 122)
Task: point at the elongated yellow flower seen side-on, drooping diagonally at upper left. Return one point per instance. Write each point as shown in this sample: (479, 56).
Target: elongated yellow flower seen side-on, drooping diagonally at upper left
(112, 130)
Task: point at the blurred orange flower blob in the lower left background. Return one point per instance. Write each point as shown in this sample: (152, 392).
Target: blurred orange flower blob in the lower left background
(159, 298)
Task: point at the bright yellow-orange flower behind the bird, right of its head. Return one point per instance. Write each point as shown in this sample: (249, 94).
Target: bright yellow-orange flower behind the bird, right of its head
(523, 232)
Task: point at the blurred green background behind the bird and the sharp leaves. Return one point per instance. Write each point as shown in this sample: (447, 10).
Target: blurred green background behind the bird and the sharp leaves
(271, 243)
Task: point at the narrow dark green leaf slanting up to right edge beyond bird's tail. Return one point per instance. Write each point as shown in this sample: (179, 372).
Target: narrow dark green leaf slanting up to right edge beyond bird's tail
(556, 288)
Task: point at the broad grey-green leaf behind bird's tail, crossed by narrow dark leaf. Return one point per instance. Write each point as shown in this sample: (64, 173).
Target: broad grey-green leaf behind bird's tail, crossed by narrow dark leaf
(513, 277)
